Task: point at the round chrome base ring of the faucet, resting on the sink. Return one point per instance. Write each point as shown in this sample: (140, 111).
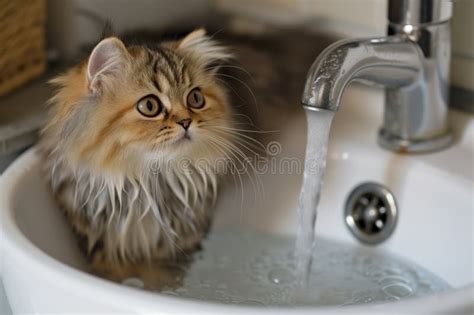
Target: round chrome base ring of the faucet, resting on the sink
(392, 143)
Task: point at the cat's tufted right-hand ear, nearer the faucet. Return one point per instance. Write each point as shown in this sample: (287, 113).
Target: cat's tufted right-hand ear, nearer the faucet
(203, 48)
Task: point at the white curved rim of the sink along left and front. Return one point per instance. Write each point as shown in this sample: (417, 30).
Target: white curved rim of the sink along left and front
(16, 246)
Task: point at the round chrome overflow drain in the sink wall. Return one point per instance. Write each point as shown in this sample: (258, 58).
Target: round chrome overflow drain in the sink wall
(371, 213)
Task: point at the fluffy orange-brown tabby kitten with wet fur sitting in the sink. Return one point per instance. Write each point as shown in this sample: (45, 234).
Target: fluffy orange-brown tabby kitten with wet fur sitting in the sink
(131, 146)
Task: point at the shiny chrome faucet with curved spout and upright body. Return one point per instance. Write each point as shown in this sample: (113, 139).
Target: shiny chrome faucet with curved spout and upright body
(412, 63)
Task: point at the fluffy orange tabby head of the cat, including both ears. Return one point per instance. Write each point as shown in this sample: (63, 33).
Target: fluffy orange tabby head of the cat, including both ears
(127, 105)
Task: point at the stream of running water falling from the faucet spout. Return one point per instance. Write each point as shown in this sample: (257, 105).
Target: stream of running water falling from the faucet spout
(319, 124)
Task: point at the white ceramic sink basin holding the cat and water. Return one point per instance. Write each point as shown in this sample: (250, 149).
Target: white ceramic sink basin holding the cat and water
(41, 268)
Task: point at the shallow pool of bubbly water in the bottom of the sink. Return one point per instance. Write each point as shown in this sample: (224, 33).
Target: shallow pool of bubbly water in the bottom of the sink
(247, 267)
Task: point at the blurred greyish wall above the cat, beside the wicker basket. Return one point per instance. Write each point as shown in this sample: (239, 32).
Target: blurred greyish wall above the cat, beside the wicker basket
(71, 23)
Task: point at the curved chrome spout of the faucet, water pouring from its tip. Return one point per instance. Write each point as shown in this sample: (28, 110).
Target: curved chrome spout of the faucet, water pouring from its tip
(393, 62)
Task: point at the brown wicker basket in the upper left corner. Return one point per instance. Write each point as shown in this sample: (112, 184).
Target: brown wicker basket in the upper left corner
(22, 42)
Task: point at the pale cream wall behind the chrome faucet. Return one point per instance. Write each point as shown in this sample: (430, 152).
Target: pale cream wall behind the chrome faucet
(352, 18)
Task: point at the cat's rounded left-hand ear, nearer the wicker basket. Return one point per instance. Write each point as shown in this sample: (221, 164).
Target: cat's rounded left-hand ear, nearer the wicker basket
(106, 60)
